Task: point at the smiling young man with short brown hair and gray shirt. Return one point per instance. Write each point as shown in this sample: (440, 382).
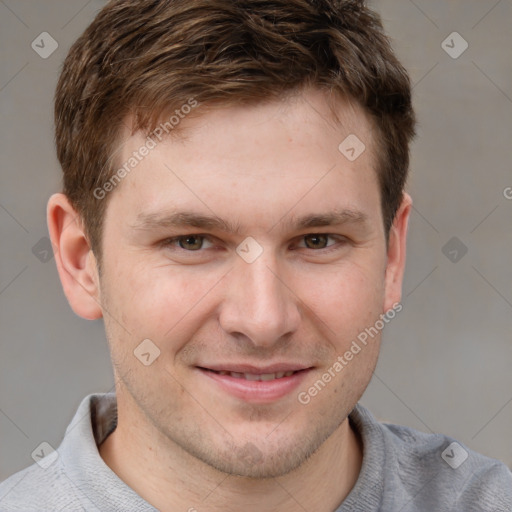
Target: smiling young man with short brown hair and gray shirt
(234, 209)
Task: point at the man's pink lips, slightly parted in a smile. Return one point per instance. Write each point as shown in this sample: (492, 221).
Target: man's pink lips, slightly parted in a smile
(253, 391)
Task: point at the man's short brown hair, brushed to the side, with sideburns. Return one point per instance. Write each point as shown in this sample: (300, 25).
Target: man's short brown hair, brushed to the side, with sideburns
(145, 58)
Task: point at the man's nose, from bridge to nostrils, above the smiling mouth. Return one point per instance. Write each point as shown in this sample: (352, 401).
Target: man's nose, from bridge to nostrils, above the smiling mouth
(259, 304)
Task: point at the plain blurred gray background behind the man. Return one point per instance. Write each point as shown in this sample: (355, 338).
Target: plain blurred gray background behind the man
(445, 363)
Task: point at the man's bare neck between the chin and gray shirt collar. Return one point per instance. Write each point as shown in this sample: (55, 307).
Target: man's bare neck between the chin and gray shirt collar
(170, 479)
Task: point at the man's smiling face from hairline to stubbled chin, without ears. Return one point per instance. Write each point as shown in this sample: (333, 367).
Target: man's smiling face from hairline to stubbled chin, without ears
(222, 314)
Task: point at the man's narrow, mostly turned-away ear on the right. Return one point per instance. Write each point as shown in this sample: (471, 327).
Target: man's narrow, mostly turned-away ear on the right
(395, 266)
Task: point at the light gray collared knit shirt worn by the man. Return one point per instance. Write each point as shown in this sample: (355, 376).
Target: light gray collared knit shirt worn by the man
(403, 470)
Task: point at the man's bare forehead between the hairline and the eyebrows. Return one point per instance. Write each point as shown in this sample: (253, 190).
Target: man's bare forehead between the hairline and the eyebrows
(273, 157)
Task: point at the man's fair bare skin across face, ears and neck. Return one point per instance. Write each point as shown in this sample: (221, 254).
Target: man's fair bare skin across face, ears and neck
(182, 442)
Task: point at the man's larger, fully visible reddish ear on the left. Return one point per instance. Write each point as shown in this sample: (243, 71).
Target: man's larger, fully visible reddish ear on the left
(75, 260)
